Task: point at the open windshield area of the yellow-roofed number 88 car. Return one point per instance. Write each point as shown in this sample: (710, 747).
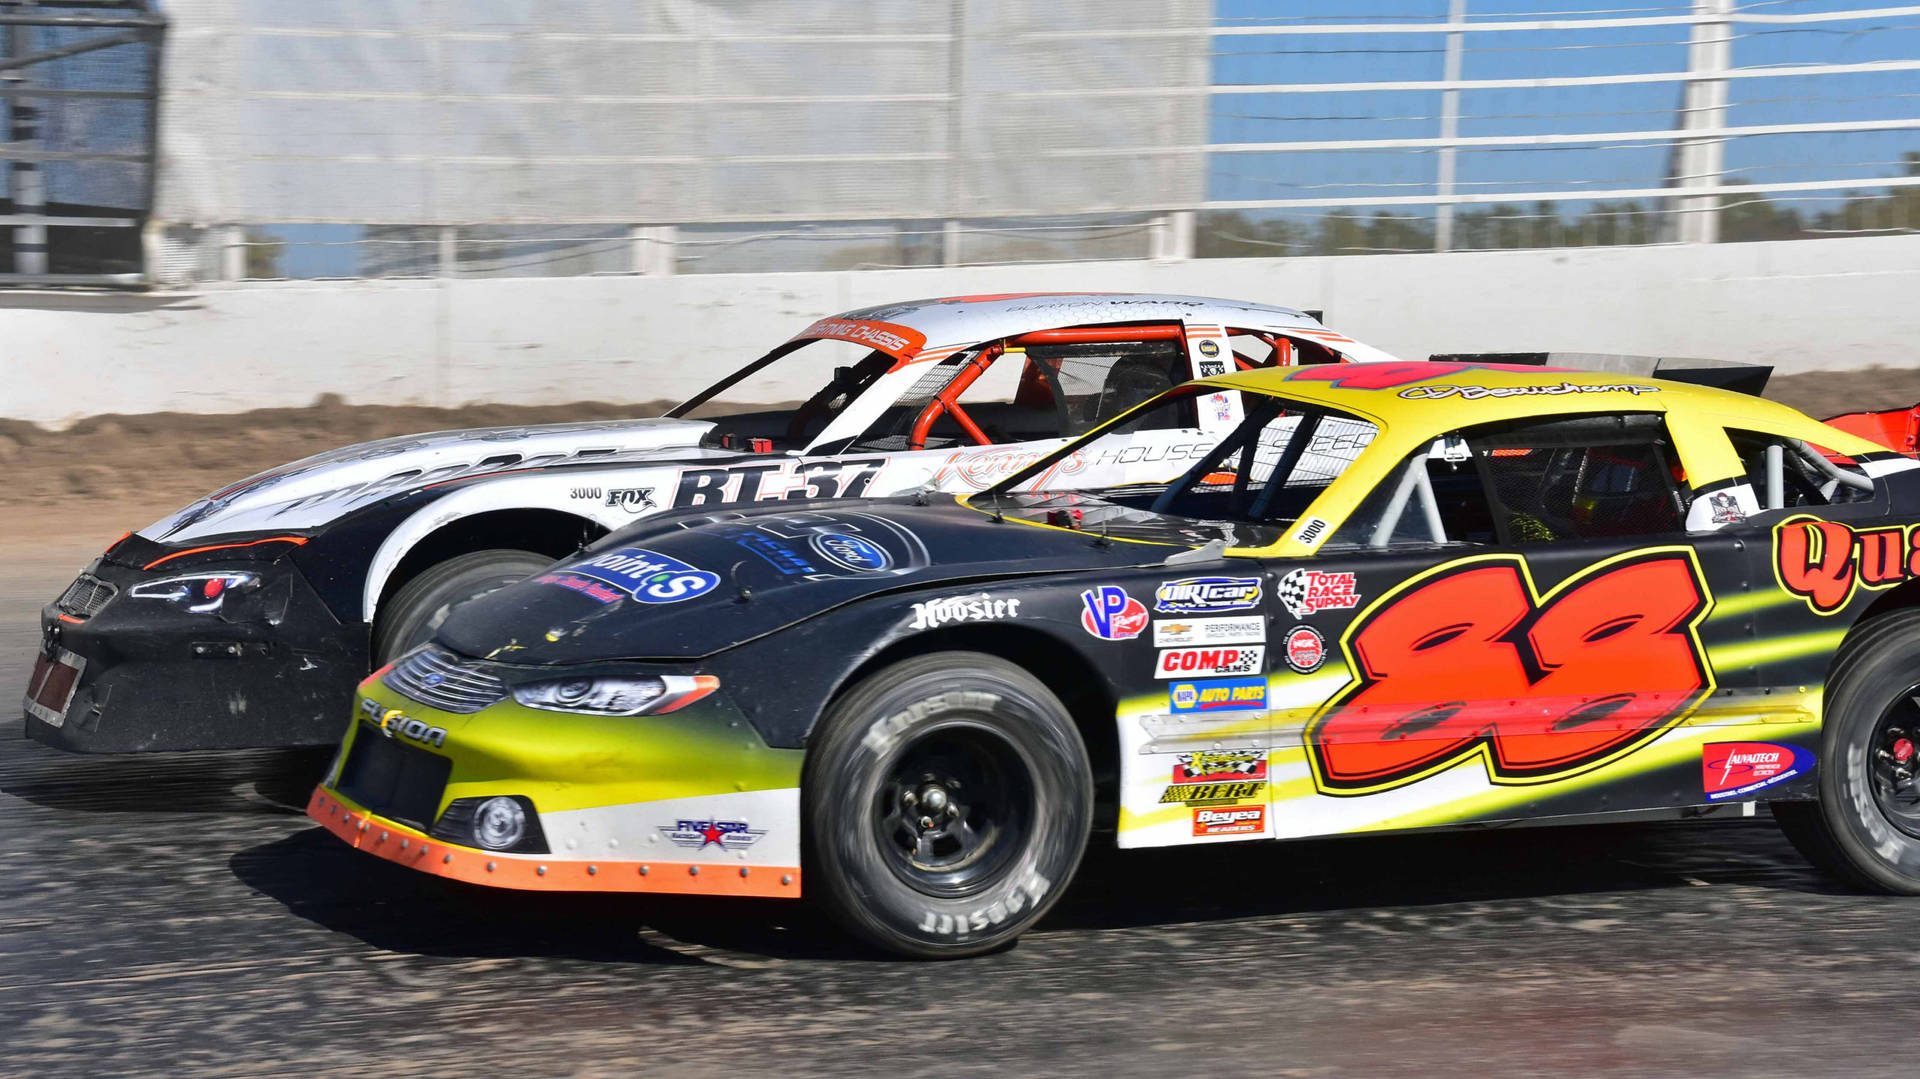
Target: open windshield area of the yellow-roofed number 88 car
(1264, 471)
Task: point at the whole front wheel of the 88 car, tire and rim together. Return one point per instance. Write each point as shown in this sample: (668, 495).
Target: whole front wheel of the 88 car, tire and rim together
(982, 750)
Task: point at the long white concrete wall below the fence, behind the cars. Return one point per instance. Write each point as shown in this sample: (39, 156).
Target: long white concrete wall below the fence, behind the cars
(1800, 306)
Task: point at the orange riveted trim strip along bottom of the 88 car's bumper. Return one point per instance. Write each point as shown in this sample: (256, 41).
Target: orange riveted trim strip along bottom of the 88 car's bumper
(537, 873)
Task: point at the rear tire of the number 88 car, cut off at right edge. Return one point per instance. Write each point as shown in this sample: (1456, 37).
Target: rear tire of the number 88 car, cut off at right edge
(1848, 832)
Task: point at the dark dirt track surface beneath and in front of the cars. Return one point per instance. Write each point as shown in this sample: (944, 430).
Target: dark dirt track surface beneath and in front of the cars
(180, 917)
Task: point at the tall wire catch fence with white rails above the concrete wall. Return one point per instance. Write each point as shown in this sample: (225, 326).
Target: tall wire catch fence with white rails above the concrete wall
(596, 137)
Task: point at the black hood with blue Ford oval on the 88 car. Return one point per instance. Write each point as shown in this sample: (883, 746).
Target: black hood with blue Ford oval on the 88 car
(690, 588)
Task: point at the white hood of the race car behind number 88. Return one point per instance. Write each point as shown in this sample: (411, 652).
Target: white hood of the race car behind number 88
(325, 487)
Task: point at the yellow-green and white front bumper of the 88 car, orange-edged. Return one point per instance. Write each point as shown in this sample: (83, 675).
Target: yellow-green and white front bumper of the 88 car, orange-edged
(688, 803)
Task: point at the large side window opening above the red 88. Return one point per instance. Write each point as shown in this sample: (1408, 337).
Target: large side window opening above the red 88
(1529, 483)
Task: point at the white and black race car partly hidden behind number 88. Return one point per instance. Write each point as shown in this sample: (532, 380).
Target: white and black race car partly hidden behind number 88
(247, 617)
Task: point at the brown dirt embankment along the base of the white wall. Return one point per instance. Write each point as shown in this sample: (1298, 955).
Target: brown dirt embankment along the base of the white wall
(105, 475)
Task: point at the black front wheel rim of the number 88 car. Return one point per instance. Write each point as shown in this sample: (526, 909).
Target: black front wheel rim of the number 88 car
(955, 809)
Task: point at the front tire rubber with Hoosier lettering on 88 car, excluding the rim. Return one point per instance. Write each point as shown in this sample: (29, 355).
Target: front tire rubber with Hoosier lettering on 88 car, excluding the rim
(850, 763)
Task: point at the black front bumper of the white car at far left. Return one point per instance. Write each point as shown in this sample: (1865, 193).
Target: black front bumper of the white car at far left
(120, 673)
